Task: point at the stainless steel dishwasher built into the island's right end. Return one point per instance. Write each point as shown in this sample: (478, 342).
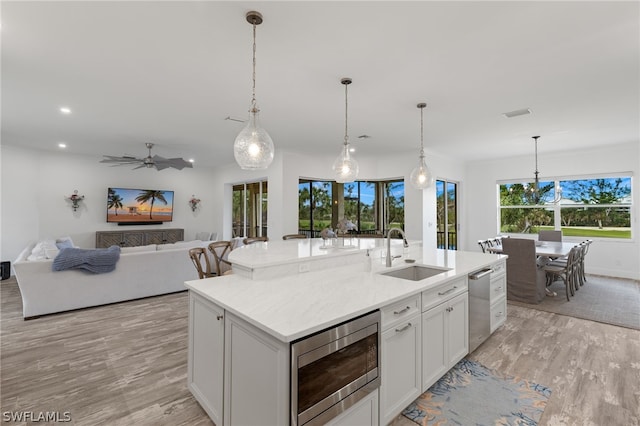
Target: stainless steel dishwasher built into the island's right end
(479, 307)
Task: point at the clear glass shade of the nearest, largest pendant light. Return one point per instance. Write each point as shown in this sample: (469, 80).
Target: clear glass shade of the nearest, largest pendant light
(253, 148)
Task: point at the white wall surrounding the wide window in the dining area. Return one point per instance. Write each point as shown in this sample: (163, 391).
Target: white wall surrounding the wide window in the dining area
(606, 256)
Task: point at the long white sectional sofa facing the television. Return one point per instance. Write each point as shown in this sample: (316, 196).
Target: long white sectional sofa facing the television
(140, 272)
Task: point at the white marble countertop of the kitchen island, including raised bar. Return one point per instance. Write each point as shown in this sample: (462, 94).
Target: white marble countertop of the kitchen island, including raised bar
(297, 305)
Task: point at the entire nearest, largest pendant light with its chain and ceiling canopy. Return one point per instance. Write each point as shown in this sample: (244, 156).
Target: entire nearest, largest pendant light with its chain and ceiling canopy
(253, 148)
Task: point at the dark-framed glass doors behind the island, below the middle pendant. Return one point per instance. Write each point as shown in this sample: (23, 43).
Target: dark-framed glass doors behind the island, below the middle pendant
(373, 206)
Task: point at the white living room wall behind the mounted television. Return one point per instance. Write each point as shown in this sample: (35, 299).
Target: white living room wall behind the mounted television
(37, 182)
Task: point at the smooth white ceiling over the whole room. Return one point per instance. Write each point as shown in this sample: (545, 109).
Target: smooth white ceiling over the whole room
(171, 72)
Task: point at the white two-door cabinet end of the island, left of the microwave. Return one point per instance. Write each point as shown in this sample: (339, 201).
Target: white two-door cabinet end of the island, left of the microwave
(253, 389)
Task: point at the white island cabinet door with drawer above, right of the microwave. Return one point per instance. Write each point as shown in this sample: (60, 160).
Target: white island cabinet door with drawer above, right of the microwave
(400, 357)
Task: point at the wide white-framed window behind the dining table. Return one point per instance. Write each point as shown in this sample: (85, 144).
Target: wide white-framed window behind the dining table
(588, 207)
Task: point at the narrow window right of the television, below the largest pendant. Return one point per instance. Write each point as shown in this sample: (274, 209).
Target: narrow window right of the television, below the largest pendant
(249, 209)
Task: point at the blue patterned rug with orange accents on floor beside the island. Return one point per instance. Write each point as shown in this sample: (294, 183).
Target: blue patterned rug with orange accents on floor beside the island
(471, 394)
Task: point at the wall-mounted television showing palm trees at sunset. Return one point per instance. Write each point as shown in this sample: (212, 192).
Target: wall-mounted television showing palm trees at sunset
(126, 206)
